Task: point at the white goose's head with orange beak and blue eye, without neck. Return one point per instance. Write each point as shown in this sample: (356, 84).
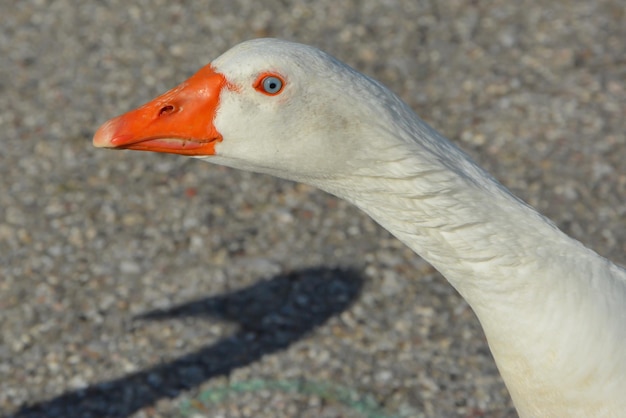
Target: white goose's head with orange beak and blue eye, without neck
(267, 106)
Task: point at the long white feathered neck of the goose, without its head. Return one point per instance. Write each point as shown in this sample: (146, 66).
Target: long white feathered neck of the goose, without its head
(553, 311)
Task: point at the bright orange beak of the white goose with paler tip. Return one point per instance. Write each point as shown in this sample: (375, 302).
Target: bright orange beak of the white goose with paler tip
(177, 122)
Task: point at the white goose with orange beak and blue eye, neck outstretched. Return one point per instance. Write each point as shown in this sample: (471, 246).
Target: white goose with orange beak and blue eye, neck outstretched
(553, 311)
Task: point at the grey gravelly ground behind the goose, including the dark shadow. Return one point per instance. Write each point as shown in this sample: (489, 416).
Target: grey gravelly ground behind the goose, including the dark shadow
(145, 285)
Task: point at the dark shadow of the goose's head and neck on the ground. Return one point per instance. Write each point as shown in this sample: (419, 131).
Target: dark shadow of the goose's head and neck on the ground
(271, 315)
